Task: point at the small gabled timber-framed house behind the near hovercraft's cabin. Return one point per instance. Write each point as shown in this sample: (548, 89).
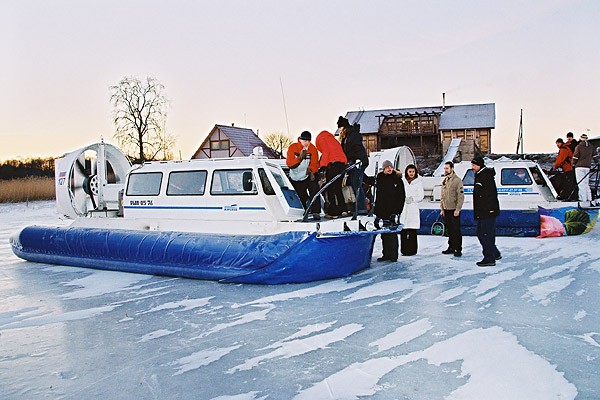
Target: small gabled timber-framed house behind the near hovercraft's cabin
(225, 141)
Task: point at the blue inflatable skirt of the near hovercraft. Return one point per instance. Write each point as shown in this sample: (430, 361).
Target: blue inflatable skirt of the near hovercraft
(290, 257)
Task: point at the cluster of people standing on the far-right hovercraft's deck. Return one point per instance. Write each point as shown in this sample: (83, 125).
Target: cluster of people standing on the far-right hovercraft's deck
(573, 164)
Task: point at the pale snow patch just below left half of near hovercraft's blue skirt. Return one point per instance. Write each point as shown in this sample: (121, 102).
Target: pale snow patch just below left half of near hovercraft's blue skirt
(102, 282)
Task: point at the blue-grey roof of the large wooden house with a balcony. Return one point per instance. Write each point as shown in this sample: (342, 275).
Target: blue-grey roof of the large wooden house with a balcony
(470, 116)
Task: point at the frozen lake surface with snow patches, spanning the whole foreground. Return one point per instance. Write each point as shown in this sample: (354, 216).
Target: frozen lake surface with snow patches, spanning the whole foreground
(425, 327)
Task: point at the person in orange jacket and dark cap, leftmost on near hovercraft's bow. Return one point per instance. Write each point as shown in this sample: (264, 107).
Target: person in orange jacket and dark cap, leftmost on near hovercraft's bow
(303, 161)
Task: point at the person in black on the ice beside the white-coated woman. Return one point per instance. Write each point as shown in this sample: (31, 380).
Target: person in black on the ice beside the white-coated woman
(389, 200)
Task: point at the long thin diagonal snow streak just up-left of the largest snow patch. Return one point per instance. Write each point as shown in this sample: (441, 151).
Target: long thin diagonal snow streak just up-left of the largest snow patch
(298, 347)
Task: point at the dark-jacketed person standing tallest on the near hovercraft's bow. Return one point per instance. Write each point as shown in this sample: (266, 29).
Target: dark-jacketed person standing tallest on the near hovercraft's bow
(354, 149)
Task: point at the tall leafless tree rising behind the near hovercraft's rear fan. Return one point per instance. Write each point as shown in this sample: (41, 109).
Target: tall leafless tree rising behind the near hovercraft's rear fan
(139, 115)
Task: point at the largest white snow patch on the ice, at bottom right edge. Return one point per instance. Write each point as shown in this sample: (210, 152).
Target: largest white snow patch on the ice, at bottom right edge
(523, 375)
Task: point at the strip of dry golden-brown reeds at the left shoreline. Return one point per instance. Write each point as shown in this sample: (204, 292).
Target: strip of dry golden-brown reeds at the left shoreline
(26, 189)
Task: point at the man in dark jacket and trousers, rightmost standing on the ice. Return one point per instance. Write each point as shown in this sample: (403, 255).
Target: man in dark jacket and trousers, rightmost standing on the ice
(485, 209)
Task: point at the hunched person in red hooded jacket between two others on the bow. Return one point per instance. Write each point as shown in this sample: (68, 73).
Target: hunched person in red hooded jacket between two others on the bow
(333, 161)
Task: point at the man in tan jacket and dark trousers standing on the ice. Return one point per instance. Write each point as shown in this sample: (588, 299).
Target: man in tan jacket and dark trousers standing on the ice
(451, 203)
